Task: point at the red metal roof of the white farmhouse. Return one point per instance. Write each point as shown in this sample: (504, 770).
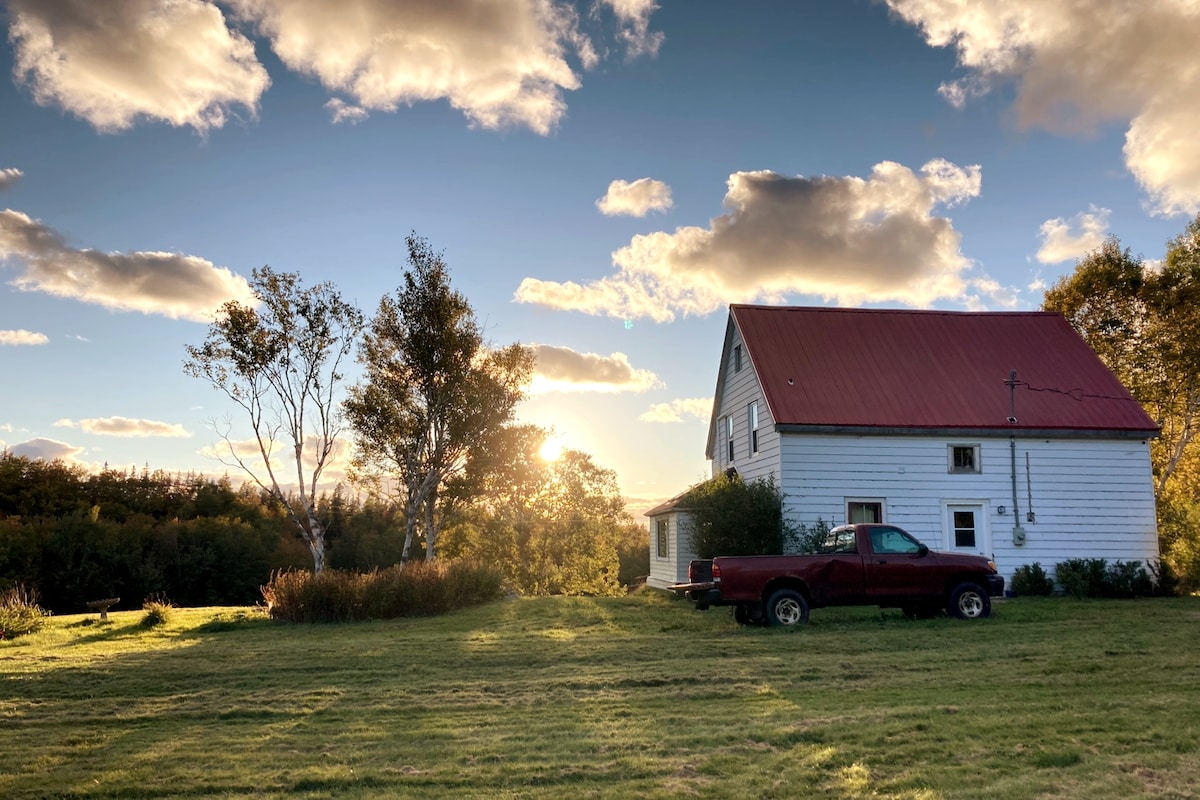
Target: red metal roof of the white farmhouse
(932, 370)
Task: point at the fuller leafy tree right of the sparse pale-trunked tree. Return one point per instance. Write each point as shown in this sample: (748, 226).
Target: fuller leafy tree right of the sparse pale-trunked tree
(434, 396)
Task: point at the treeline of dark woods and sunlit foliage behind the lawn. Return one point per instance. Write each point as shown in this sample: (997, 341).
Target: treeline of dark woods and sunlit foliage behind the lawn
(76, 537)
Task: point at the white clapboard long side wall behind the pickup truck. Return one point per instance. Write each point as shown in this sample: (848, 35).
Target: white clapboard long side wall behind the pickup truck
(1091, 498)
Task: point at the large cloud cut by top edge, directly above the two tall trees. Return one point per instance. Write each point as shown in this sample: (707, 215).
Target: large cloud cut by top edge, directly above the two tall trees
(499, 63)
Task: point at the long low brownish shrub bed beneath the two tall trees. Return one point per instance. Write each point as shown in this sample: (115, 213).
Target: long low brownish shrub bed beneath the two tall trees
(418, 590)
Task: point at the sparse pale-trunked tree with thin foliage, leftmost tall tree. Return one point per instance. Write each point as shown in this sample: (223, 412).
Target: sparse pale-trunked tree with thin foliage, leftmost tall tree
(281, 364)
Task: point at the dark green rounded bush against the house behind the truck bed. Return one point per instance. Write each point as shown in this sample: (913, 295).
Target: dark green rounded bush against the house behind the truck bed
(731, 518)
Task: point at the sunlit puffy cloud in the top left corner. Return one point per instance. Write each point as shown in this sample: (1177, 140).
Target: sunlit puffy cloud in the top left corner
(113, 63)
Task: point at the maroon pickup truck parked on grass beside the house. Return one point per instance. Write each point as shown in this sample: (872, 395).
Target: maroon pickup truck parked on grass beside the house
(860, 566)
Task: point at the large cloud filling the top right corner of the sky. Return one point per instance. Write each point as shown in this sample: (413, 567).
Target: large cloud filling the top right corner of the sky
(1079, 64)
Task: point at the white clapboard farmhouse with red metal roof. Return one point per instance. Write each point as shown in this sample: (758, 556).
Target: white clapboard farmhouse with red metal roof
(1001, 434)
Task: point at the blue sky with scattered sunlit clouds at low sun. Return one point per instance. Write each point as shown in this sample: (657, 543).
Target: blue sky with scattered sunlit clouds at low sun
(604, 178)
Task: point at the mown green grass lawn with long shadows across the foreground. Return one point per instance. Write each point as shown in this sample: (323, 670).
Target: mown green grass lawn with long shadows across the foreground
(639, 696)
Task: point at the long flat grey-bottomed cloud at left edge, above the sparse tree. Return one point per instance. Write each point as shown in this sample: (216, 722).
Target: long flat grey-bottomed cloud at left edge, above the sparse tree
(179, 287)
